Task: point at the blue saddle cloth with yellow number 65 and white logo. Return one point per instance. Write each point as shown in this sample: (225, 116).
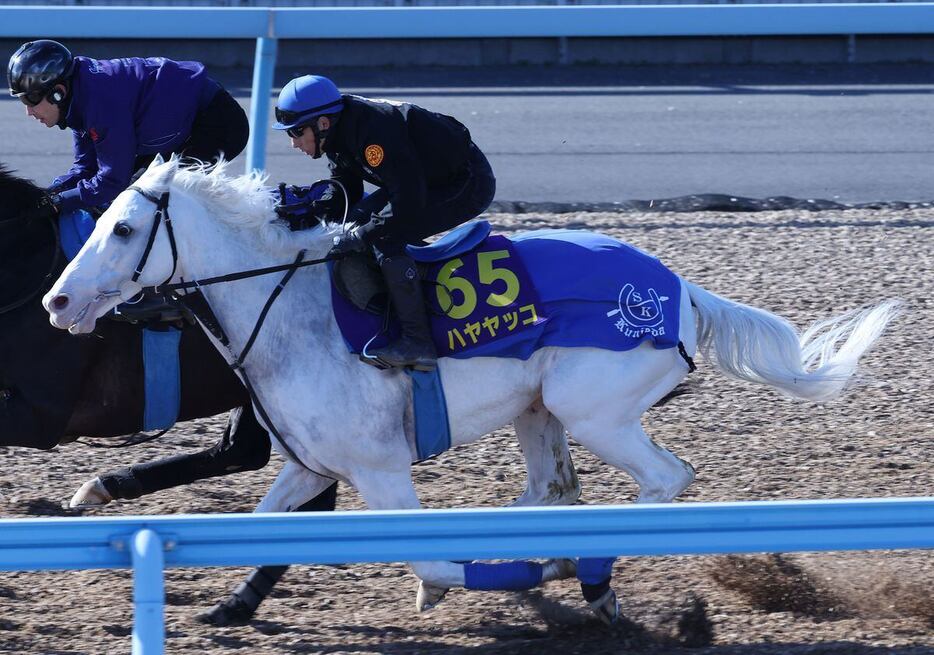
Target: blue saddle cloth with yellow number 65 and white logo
(492, 296)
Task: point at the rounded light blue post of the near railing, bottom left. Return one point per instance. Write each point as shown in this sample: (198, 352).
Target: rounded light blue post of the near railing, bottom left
(148, 593)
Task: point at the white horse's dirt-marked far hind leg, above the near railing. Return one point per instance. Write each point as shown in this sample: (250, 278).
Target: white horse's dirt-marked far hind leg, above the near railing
(551, 479)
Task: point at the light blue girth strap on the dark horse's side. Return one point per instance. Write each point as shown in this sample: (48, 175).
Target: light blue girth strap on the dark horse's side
(162, 378)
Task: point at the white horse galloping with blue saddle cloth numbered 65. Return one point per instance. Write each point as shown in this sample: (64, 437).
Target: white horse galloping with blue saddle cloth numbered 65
(343, 419)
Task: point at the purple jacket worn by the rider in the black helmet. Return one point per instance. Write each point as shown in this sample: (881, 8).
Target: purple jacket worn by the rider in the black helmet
(121, 108)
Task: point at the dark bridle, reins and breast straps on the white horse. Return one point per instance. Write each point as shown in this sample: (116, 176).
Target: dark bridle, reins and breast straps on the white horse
(199, 306)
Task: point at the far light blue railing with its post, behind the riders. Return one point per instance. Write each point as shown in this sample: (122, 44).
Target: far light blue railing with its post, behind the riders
(269, 24)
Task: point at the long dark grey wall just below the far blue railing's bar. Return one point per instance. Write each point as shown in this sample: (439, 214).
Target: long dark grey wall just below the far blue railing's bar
(503, 52)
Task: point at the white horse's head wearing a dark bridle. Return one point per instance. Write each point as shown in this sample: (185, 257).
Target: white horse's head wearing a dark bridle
(129, 249)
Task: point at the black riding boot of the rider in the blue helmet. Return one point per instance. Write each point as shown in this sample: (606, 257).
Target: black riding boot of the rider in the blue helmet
(415, 347)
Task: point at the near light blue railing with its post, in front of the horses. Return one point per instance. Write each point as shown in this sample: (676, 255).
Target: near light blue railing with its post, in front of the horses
(147, 544)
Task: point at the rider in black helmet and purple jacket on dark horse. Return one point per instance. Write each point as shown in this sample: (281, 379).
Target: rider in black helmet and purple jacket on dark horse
(123, 112)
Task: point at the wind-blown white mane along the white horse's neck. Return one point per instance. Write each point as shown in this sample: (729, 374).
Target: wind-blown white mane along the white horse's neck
(243, 201)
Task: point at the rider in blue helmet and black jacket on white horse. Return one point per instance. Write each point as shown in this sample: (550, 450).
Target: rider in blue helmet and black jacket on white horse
(430, 177)
